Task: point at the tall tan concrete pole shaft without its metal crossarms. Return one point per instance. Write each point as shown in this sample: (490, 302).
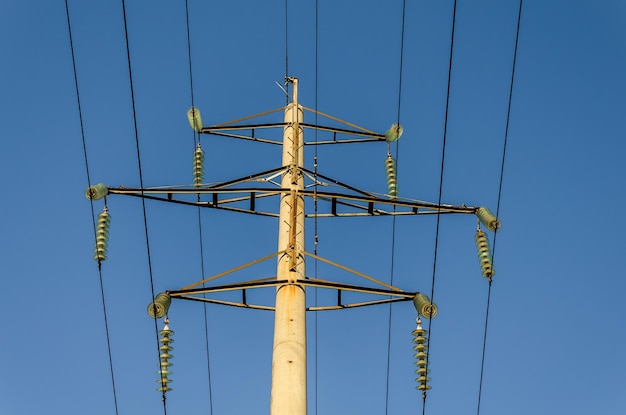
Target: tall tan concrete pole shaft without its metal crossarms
(289, 354)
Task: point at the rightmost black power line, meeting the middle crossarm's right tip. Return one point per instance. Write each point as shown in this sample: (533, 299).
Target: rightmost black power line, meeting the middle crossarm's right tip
(506, 137)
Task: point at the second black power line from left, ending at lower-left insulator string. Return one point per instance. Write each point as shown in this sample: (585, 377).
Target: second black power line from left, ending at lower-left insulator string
(143, 202)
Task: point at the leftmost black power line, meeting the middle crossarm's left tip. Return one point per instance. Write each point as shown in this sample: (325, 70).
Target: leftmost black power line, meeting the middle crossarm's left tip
(82, 132)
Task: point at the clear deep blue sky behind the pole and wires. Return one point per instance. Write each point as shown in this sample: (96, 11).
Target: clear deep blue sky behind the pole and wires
(556, 337)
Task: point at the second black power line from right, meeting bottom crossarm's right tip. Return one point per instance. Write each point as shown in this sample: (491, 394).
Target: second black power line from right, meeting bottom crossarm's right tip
(443, 158)
